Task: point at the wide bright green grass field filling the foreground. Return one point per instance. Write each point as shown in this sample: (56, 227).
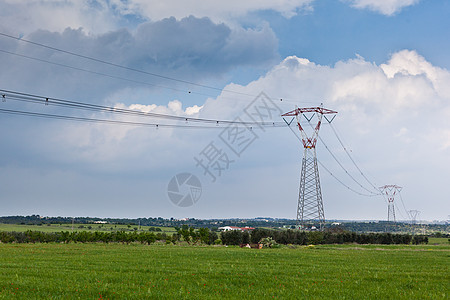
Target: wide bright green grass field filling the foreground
(115, 271)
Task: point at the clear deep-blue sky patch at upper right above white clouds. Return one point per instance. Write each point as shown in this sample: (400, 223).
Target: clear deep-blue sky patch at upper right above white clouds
(335, 31)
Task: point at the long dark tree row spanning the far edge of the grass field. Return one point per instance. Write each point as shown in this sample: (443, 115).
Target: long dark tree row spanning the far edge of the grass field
(191, 235)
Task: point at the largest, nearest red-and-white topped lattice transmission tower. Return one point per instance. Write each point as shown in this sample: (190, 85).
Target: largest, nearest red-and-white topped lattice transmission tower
(310, 204)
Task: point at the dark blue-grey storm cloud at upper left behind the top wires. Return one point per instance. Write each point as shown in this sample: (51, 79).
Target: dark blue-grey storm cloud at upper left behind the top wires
(188, 49)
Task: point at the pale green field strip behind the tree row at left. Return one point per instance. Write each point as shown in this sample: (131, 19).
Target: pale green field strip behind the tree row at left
(79, 227)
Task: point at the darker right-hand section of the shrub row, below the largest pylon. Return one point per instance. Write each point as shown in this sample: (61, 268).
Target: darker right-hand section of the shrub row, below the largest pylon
(317, 237)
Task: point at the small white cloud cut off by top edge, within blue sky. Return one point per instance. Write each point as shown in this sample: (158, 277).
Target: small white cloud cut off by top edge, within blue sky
(385, 7)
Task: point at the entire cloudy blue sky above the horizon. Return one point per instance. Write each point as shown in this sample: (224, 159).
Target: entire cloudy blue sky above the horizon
(384, 66)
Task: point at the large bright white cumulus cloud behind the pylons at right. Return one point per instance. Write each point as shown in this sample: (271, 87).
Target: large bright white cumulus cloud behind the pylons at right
(394, 117)
